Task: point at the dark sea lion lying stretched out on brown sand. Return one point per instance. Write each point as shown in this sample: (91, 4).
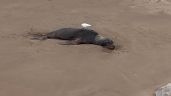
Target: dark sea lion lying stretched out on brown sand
(77, 36)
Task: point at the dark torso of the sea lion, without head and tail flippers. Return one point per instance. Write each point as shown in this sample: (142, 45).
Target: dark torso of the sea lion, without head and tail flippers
(84, 35)
